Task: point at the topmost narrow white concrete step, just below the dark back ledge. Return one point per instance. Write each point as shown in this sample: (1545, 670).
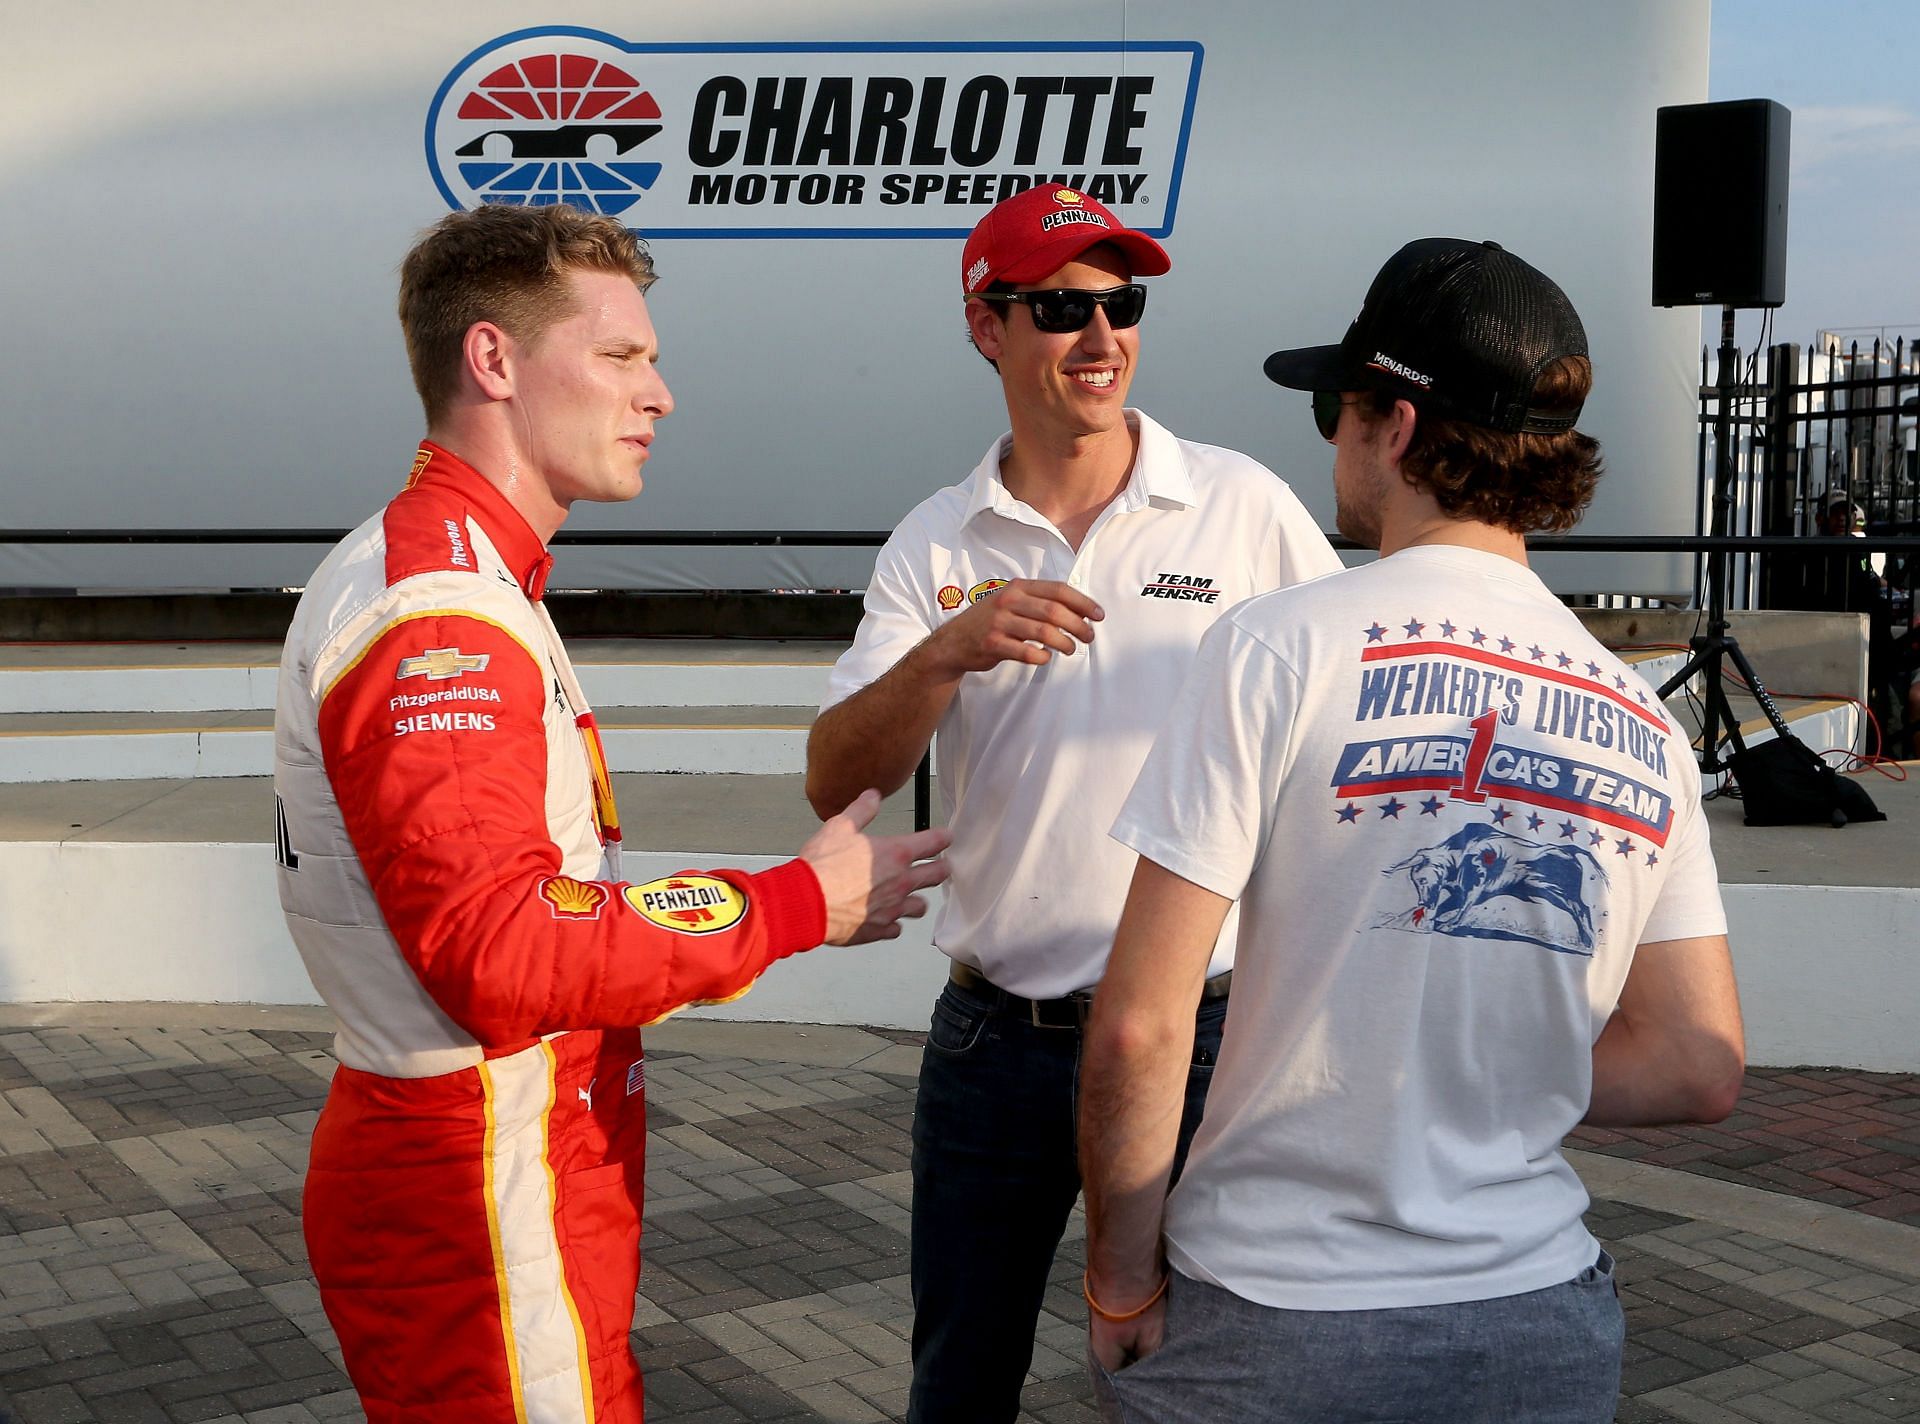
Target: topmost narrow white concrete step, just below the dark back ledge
(243, 676)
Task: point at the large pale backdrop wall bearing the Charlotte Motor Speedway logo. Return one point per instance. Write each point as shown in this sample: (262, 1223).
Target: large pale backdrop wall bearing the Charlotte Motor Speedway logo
(216, 197)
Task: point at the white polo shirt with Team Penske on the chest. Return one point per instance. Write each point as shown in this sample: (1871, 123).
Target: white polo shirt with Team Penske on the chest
(1036, 763)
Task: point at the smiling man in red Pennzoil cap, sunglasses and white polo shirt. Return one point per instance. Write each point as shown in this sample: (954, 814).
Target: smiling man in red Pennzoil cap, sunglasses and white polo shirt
(1086, 513)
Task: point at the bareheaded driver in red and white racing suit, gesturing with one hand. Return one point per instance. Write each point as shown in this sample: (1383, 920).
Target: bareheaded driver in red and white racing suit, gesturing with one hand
(450, 861)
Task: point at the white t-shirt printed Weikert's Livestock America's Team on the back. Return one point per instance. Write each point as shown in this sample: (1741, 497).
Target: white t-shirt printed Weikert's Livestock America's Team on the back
(1449, 817)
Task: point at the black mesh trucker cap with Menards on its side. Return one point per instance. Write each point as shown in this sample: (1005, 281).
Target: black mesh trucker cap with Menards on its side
(1464, 329)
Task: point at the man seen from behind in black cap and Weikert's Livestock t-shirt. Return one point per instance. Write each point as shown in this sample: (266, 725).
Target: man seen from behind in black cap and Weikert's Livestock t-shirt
(1477, 907)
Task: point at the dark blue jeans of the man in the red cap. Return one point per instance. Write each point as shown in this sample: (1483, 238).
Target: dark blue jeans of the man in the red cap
(996, 1177)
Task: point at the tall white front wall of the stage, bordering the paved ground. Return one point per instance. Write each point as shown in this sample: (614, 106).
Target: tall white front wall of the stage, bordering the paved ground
(1827, 974)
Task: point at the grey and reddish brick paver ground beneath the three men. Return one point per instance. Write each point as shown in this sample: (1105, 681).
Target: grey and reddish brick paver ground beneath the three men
(153, 1266)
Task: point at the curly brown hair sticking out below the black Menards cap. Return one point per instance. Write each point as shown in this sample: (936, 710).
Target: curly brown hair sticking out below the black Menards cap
(1529, 485)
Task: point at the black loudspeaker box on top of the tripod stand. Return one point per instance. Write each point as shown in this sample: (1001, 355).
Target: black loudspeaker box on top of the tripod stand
(1721, 204)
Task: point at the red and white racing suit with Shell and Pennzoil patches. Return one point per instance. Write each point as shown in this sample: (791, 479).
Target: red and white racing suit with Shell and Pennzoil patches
(450, 872)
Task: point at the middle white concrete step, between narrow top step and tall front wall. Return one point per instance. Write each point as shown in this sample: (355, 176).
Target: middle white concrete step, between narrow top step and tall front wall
(178, 746)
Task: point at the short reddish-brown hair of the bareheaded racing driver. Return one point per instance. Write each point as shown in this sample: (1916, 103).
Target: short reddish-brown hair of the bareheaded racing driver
(506, 266)
